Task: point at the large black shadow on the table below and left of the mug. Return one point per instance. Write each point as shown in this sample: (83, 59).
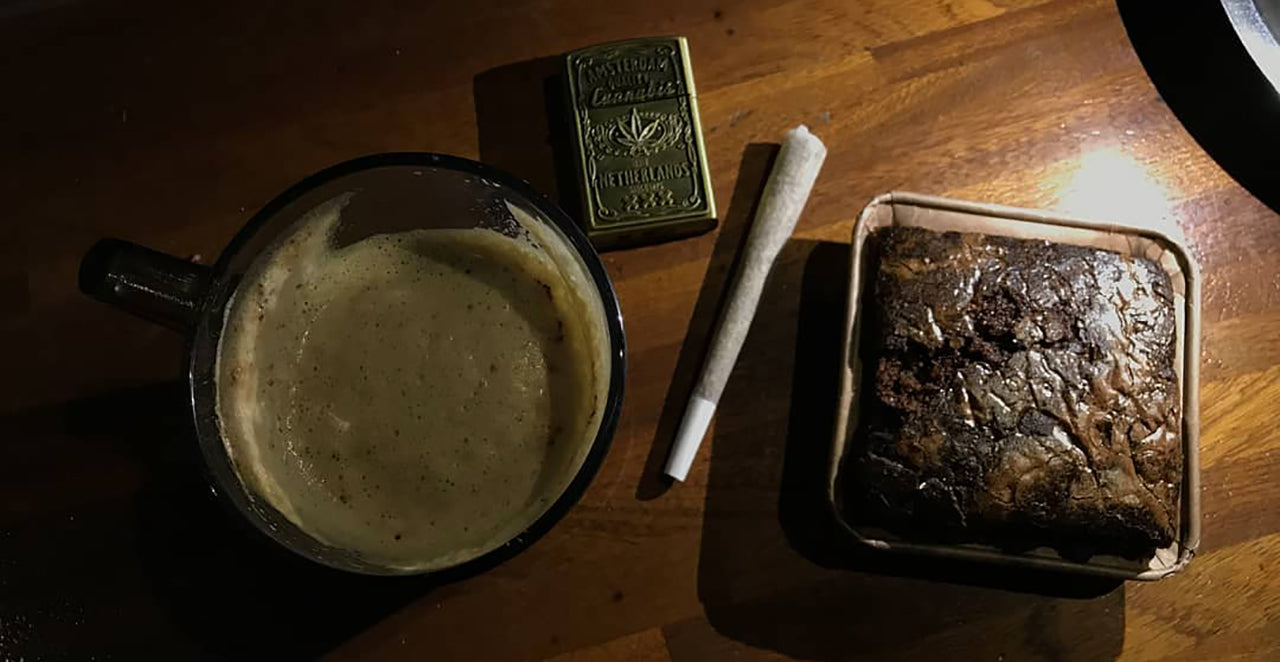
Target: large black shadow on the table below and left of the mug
(121, 550)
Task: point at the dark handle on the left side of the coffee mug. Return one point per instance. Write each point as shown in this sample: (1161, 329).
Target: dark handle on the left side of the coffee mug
(148, 284)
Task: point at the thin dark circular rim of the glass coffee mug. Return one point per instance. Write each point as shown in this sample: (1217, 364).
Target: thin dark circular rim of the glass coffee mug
(202, 378)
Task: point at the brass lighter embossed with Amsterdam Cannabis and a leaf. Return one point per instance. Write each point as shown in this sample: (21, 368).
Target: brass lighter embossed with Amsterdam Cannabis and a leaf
(641, 158)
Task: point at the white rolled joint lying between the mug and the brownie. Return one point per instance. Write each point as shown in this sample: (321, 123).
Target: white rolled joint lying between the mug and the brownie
(785, 195)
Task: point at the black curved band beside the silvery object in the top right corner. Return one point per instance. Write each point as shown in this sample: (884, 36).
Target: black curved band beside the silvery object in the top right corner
(1210, 83)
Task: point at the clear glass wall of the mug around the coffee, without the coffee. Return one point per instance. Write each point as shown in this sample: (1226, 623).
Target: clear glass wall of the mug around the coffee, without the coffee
(392, 194)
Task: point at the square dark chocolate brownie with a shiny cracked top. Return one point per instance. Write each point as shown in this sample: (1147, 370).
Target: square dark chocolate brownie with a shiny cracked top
(1018, 394)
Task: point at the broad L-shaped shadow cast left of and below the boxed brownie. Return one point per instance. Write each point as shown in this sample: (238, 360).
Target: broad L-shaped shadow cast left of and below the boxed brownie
(774, 573)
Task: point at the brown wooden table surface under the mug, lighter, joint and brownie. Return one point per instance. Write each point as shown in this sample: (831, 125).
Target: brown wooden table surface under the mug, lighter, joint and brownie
(170, 125)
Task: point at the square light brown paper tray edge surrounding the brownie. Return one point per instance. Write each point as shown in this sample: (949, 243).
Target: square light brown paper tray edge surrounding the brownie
(944, 214)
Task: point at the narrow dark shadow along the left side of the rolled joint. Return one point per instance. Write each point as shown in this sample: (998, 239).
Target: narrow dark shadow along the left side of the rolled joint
(752, 174)
